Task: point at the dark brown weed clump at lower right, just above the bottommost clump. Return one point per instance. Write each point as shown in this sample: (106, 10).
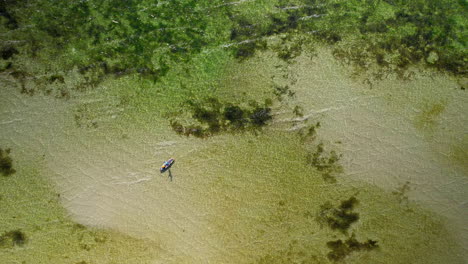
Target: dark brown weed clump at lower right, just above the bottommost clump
(339, 218)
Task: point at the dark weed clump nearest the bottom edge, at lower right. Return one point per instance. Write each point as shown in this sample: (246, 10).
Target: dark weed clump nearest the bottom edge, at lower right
(341, 249)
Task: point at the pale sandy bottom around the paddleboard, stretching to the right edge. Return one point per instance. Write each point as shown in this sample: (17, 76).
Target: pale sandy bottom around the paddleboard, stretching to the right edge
(225, 201)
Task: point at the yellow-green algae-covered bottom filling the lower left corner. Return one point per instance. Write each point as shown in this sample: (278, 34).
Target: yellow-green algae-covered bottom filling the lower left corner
(36, 229)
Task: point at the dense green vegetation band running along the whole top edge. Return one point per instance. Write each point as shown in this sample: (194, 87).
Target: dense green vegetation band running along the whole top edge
(107, 38)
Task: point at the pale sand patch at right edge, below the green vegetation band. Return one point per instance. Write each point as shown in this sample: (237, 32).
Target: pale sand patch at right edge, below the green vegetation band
(395, 132)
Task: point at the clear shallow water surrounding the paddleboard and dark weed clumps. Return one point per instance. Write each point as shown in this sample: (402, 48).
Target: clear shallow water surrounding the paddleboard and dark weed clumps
(87, 187)
